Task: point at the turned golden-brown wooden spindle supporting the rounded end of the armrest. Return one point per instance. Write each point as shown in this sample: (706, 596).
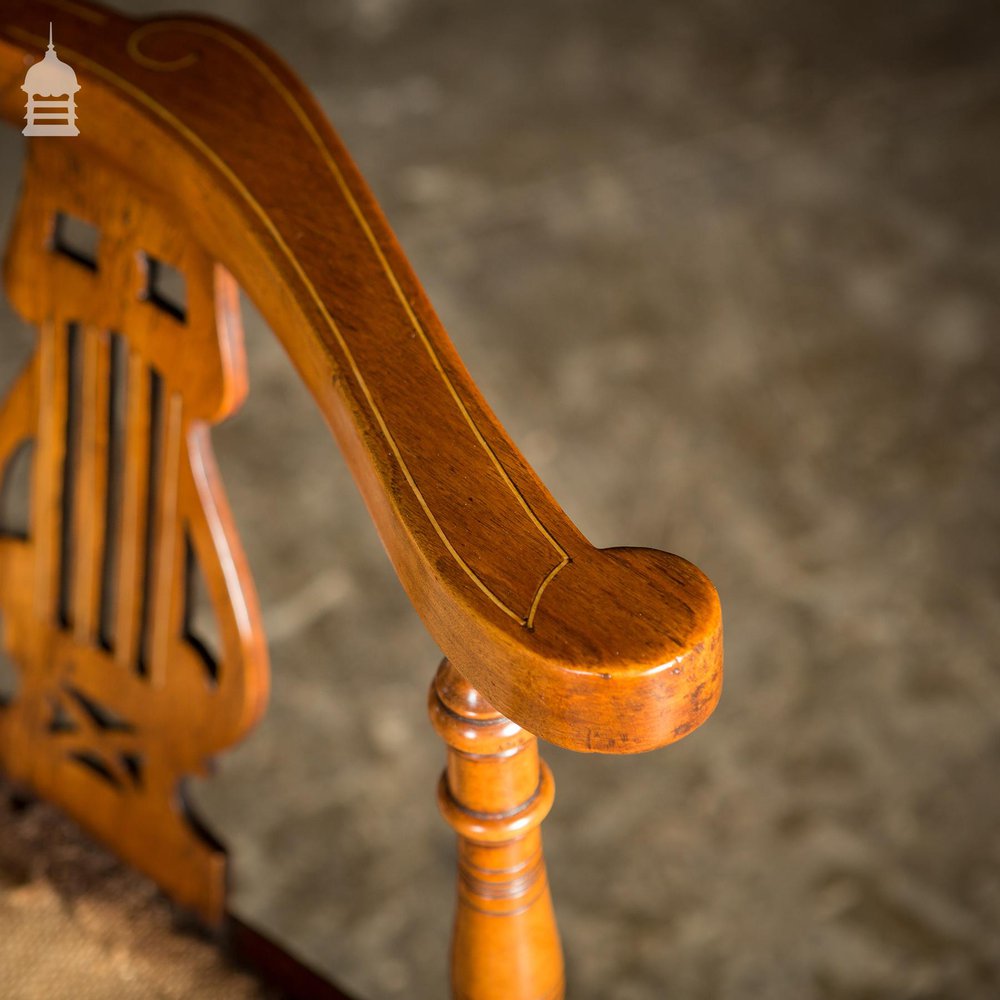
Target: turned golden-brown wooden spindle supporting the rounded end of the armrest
(494, 793)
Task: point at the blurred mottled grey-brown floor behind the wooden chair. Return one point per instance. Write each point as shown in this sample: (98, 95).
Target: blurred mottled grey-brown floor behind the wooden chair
(729, 275)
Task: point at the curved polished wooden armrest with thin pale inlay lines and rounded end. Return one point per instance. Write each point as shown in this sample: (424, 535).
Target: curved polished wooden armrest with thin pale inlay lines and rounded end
(615, 650)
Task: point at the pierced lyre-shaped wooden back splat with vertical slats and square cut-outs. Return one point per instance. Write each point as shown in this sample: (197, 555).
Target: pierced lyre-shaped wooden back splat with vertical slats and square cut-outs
(119, 700)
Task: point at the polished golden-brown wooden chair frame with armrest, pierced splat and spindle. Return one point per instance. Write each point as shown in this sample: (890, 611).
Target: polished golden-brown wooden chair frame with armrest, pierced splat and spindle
(616, 650)
